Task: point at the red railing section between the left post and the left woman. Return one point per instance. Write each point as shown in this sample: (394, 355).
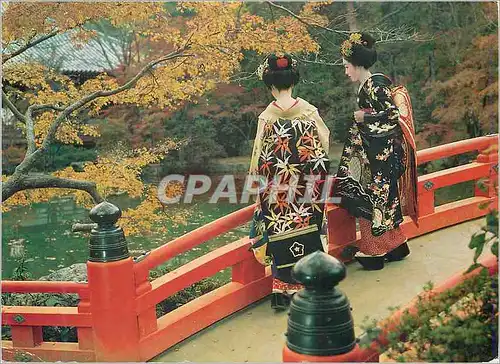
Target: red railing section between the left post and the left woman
(250, 282)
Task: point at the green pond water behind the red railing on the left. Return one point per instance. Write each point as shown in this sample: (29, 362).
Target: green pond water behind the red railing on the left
(43, 234)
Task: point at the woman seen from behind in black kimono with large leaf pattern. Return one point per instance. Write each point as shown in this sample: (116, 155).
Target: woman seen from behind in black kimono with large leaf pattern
(290, 154)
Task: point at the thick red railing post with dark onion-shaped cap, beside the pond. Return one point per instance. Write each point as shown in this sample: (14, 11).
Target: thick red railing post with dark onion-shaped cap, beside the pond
(112, 289)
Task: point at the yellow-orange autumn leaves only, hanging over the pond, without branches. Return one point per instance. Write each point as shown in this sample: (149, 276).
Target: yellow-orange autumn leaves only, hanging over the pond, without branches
(218, 35)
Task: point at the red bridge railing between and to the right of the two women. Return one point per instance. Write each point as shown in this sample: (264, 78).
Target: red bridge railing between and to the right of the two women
(431, 217)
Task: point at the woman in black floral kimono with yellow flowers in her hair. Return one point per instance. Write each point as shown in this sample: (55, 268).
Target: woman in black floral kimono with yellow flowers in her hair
(376, 178)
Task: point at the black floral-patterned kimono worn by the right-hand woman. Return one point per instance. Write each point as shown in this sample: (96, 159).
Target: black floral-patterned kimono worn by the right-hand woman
(373, 159)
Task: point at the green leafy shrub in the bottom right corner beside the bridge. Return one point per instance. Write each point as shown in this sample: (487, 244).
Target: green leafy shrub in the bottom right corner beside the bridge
(458, 325)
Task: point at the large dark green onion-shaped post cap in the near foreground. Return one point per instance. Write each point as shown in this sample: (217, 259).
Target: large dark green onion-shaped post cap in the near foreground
(320, 324)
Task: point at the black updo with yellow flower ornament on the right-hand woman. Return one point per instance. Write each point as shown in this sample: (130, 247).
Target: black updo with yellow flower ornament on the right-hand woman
(359, 50)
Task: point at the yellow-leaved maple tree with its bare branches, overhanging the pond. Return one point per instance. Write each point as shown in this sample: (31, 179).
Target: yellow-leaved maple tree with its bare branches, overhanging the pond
(202, 46)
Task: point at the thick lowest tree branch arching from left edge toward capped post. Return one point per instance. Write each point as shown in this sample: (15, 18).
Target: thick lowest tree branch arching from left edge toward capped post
(30, 182)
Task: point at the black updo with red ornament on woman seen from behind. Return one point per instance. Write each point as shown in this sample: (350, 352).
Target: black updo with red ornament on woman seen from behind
(279, 71)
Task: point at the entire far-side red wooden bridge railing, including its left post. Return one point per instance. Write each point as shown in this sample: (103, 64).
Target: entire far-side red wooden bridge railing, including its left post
(116, 317)
